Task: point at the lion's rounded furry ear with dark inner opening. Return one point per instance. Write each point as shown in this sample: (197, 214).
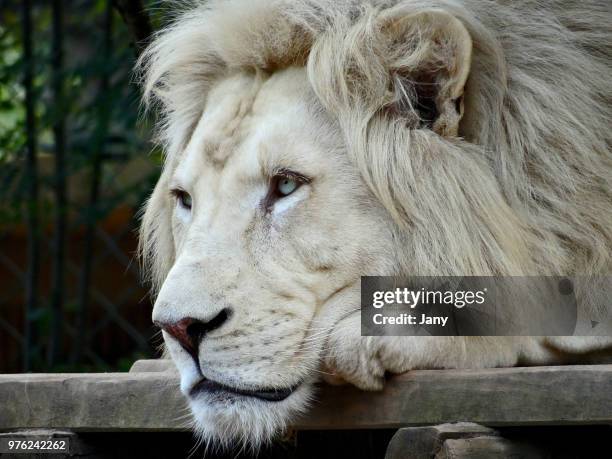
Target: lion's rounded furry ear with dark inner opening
(428, 55)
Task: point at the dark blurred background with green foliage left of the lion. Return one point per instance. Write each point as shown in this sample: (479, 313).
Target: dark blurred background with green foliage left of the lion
(76, 164)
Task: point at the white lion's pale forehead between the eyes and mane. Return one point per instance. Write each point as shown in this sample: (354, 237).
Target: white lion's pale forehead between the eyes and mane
(252, 124)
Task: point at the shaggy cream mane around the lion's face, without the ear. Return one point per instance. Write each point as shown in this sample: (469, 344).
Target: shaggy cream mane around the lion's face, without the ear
(537, 111)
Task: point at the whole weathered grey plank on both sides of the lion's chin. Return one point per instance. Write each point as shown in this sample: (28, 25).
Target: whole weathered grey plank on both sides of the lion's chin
(150, 401)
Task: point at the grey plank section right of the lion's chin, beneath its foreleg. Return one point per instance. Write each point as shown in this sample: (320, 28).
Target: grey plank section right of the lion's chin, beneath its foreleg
(580, 394)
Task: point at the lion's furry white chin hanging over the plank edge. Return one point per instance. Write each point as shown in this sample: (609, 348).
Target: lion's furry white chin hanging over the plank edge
(233, 420)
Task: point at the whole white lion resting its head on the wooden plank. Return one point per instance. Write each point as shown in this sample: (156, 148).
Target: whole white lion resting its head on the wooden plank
(310, 142)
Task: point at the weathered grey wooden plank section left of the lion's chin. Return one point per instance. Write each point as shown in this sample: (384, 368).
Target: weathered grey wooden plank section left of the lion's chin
(92, 402)
